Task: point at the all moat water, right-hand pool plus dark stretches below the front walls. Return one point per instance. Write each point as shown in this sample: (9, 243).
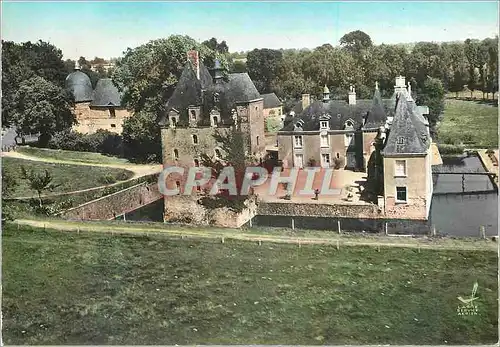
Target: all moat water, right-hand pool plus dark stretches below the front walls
(451, 214)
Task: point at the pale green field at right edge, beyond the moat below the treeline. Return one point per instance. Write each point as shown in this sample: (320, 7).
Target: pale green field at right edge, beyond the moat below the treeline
(469, 122)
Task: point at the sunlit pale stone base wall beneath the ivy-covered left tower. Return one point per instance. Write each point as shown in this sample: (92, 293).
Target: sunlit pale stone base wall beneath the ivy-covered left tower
(187, 210)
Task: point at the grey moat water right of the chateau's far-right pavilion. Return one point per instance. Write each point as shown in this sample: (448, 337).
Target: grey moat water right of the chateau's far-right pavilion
(463, 215)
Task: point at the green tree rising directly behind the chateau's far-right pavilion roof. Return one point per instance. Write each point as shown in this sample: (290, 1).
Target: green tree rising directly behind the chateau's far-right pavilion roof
(432, 95)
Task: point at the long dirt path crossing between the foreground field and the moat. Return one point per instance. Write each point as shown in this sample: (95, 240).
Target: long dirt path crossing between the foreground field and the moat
(244, 235)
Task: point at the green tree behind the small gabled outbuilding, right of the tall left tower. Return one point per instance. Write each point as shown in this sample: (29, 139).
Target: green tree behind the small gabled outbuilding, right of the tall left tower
(262, 65)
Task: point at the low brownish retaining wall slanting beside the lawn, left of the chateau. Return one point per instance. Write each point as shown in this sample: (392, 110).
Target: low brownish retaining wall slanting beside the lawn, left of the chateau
(113, 205)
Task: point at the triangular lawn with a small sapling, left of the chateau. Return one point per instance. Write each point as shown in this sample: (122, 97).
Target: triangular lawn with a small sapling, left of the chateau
(70, 177)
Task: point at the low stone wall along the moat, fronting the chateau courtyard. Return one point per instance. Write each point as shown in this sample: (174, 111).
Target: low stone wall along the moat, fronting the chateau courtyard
(318, 210)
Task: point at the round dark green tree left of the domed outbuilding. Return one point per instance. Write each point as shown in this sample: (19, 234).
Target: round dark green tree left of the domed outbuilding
(41, 106)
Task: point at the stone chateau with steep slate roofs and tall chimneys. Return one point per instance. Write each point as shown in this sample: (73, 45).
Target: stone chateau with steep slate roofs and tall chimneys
(386, 139)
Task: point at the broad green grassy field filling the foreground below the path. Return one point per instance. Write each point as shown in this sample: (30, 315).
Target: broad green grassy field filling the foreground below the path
(68, 288)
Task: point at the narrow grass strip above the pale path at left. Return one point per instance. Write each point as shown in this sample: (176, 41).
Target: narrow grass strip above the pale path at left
(83, 157)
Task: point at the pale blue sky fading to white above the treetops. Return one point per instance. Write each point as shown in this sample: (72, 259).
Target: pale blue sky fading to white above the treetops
(107, 29)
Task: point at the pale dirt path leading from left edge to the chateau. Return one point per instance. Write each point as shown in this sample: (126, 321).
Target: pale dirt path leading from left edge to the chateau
(139, 170)
